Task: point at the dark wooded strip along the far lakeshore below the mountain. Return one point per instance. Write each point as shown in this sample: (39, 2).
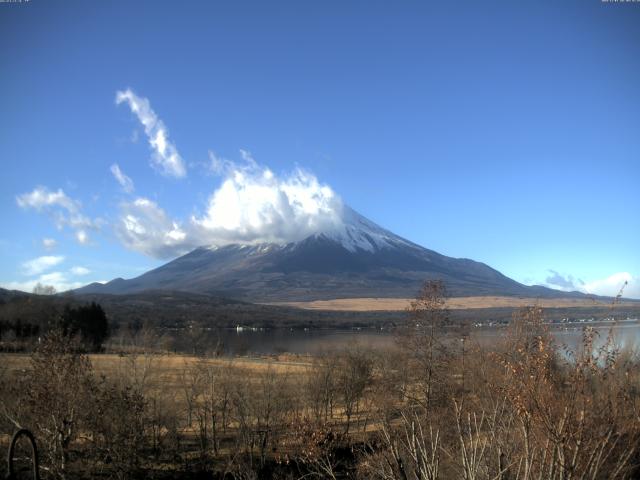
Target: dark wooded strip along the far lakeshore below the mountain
(32, 314)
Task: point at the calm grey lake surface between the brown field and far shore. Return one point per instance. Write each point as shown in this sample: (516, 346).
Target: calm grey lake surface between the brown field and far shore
(243, 341)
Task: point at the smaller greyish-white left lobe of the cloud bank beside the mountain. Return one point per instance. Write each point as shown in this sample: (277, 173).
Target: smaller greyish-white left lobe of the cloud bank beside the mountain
(146, 228)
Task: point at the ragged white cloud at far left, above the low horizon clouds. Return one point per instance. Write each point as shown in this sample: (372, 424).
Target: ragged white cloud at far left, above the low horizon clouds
(64, 211)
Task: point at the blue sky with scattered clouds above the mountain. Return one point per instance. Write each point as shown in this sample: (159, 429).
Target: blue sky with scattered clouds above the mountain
(507, 132)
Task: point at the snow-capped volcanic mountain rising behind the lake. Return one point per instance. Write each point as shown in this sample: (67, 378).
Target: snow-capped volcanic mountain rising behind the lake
(354, 259)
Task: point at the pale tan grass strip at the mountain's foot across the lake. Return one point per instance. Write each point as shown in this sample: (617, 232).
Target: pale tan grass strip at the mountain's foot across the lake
(459, 303)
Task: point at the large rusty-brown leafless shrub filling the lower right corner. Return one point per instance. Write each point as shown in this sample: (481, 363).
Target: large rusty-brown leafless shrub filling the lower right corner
(572, 411)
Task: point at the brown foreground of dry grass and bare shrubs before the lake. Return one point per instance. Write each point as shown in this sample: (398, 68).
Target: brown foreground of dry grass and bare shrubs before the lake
(435, 406)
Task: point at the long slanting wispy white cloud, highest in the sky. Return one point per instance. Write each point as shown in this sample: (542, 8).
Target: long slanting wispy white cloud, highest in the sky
(165, 157)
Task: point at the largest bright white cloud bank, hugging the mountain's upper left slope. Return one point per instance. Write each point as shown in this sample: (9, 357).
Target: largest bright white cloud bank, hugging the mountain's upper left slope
(252, 205)
